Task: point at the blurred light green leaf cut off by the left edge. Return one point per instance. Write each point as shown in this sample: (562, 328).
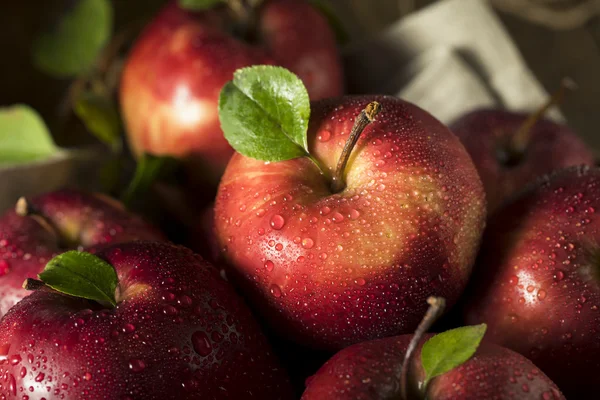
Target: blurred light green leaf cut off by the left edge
(24, 137)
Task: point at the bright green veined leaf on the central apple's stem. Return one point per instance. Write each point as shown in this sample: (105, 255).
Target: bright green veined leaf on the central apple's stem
(264, 113)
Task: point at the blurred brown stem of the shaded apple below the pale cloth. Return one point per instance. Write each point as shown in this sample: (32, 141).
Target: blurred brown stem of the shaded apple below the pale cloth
(517, 144)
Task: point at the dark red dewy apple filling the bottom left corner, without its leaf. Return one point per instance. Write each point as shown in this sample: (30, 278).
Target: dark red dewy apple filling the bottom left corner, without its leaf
(178, 332)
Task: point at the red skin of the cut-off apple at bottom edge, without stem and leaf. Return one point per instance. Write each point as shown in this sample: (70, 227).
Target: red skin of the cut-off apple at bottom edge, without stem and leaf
(371, 371)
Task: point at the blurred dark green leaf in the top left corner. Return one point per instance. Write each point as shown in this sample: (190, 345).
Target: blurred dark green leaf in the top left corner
(72, 47)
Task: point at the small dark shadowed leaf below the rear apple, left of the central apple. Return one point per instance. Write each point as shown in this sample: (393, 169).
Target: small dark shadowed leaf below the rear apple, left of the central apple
(148, 169)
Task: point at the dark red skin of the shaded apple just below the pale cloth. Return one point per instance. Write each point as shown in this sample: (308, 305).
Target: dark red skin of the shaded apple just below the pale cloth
(552, 146)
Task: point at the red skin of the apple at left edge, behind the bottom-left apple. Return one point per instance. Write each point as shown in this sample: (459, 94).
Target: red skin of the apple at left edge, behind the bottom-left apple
(89, 221)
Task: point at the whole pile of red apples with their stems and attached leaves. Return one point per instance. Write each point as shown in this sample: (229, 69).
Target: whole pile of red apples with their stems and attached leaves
(337, 220)
